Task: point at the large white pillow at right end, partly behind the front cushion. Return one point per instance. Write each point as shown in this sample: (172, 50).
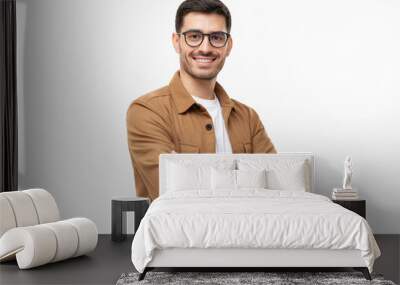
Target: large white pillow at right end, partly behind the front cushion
(282, 174)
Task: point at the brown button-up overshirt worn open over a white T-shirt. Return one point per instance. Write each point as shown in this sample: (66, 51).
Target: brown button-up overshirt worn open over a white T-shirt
(169, 119)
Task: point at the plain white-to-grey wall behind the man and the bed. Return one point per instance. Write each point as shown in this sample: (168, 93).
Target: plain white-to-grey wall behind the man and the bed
(323, 75)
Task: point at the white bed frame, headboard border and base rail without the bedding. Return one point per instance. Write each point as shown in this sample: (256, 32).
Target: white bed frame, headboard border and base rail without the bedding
(248, 259)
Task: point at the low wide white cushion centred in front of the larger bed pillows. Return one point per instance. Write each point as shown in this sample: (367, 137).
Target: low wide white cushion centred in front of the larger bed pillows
(229, 179)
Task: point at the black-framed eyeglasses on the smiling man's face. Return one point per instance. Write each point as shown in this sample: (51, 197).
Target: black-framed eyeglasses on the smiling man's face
(194, 38)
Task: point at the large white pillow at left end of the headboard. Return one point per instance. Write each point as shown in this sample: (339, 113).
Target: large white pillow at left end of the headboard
(188, 177)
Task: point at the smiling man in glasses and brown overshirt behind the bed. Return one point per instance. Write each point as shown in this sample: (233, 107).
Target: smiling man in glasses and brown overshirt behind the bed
(170, 119)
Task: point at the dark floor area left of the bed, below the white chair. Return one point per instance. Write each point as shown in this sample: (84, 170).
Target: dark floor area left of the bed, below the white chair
(102, 266)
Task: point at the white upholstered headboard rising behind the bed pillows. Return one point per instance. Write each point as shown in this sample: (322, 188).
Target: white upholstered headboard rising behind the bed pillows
(212, 158)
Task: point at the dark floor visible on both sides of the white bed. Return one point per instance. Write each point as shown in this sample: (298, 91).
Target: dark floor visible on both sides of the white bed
(111, 259)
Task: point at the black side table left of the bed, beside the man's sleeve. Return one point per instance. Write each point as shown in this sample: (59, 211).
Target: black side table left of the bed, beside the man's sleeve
(119, 207)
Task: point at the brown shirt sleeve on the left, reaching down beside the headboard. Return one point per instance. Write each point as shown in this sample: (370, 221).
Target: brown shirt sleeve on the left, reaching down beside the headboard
(148, 137)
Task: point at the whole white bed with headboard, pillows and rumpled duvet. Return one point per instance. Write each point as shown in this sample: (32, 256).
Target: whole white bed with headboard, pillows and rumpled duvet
(248, 211)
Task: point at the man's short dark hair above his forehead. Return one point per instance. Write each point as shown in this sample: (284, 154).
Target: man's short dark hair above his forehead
(202, 6)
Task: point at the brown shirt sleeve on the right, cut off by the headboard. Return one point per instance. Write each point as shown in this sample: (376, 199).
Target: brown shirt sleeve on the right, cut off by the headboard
(261, 142)
